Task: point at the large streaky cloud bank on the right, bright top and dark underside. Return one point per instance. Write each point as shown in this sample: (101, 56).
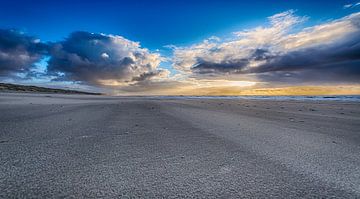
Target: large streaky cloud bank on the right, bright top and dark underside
(276, 53)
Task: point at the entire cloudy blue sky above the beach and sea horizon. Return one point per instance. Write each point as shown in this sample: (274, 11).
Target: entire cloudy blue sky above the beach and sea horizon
(183, 47)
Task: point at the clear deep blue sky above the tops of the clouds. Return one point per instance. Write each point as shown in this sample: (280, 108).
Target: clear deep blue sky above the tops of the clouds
(154, 23)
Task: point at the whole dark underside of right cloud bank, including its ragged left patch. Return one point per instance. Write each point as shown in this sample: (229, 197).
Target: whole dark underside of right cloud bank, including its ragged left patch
(336, 62)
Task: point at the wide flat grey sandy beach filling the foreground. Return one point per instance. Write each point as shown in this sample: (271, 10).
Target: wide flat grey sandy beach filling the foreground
(80, 146)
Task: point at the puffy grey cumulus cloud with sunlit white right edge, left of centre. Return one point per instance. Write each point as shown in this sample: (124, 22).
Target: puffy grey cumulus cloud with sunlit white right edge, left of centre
(100, 59)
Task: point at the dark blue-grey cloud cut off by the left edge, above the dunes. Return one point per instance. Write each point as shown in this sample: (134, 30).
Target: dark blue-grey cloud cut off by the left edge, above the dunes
(19, 52)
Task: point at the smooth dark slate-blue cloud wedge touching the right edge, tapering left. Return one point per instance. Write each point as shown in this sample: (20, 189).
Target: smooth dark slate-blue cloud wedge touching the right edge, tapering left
(339, 62)
